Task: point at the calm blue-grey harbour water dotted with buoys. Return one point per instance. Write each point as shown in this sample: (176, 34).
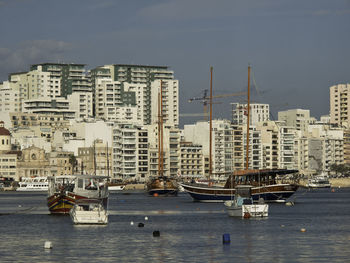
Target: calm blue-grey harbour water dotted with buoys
(189, 232)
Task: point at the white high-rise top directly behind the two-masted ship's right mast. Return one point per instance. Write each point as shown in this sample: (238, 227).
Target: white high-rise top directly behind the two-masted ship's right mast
(258, 112)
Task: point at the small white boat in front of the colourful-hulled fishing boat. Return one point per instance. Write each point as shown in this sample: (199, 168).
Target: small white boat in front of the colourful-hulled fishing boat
(89, 211)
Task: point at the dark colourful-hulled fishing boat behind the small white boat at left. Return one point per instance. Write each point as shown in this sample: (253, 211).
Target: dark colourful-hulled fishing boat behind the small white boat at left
(64, 191)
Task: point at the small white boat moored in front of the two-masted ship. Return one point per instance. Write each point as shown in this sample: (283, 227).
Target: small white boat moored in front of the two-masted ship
(242, 205)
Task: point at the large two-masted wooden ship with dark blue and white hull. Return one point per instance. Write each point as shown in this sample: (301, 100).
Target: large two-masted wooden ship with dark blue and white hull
(264, 182)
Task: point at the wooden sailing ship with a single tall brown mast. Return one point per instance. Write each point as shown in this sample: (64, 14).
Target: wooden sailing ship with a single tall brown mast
(161, 185)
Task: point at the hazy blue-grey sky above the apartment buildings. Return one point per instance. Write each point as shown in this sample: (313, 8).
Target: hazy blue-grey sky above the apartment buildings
(296, 49)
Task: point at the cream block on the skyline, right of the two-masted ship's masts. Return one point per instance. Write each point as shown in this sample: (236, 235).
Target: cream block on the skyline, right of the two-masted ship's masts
(298, 118)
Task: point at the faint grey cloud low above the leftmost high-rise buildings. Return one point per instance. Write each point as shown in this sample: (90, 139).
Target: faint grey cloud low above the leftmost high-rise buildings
(20, 57)
